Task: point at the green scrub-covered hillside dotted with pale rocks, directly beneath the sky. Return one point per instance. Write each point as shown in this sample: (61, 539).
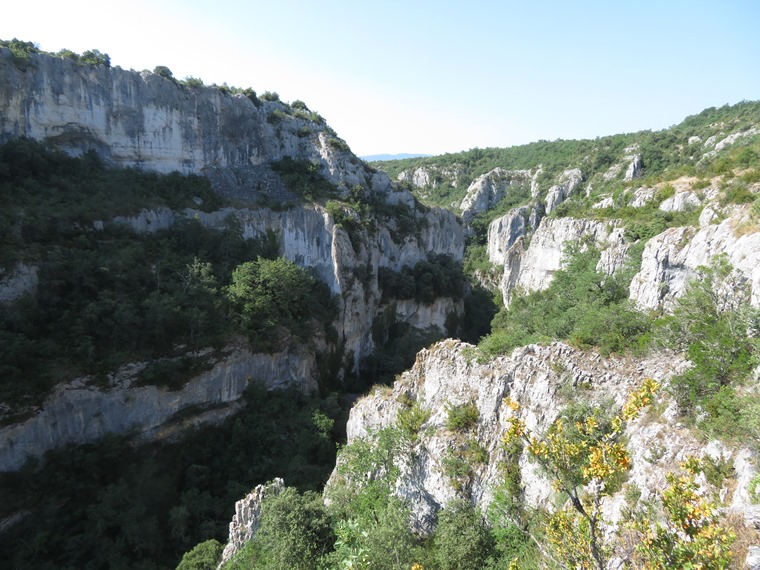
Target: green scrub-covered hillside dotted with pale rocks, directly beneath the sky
(667, 154)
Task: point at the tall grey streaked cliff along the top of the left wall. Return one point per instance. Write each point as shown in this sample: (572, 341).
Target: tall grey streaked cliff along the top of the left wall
(147, 121)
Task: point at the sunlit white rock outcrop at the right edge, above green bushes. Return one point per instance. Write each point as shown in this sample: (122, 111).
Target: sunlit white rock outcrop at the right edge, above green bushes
(671, 258)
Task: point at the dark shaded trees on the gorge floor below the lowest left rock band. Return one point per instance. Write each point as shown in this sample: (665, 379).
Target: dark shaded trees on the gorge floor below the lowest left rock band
(114, 505)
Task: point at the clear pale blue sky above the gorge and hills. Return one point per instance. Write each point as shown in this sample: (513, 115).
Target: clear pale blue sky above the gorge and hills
(435, 76)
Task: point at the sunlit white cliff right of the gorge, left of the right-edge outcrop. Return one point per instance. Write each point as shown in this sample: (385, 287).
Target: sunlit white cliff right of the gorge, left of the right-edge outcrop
(532, 269)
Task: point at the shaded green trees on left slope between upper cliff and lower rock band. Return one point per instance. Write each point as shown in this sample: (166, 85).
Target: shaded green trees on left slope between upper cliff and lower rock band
(108, 295)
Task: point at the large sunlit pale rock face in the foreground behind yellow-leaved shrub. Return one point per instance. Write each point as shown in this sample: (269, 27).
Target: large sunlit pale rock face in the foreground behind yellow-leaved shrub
(543, 379)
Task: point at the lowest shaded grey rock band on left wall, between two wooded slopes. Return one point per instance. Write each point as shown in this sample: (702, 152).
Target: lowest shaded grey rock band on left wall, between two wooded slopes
(82, 412)
